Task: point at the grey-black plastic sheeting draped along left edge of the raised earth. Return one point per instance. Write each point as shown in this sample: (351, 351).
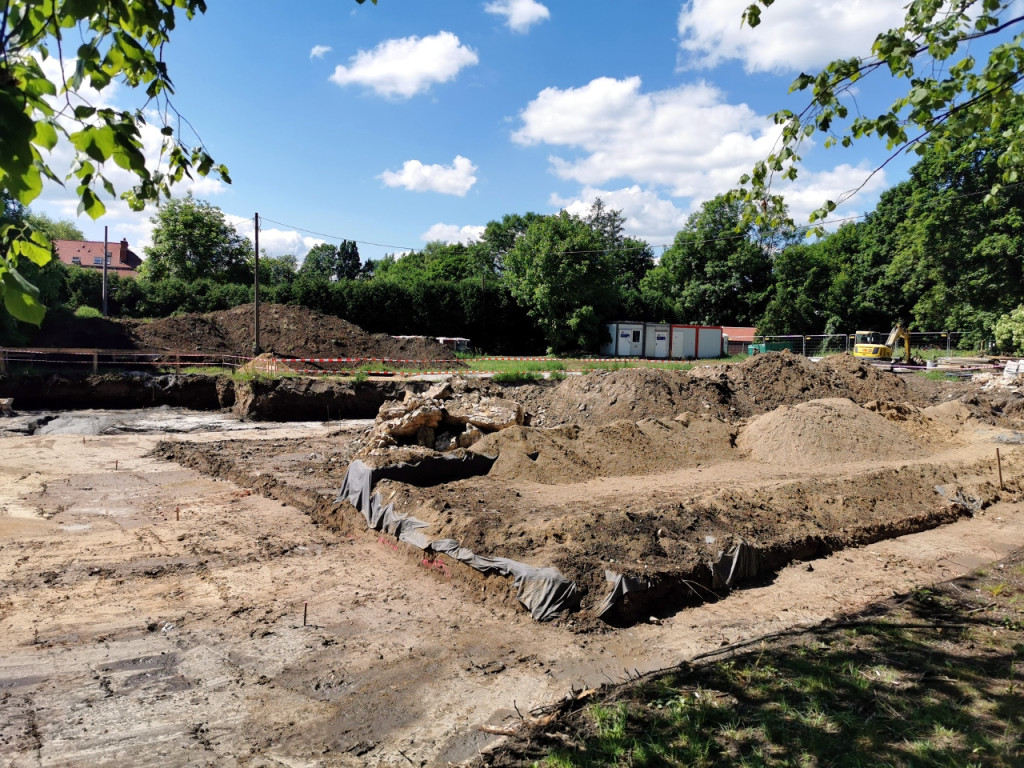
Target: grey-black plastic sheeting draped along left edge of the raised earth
(544, 592)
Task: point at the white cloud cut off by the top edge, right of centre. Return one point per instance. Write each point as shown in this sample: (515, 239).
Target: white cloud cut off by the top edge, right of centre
(793, 35)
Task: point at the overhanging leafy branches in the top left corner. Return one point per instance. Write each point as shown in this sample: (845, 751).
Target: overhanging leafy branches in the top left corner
(42, 82)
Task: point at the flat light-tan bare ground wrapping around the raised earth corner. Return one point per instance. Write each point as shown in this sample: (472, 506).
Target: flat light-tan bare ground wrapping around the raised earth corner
(150, 615)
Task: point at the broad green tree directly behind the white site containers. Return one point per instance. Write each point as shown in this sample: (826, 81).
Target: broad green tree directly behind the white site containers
(717, 271)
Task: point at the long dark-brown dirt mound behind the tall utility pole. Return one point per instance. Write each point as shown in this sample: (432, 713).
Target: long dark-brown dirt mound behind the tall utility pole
(285, 331)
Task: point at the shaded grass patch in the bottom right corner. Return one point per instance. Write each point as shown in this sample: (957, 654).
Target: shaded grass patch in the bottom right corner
(936, 679)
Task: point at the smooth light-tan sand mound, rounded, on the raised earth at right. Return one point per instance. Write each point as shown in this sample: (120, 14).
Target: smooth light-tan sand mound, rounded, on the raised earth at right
(826, 432)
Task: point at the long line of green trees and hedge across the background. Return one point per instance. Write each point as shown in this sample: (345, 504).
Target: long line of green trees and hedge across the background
(938, 253)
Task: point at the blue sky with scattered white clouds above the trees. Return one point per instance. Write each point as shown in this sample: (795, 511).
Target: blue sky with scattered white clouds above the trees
(407, 122)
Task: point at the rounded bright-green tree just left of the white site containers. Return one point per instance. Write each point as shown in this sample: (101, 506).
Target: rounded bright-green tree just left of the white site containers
(559, 270)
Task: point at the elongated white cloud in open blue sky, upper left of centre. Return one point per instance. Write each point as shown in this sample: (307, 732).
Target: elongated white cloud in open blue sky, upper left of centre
(409, 66)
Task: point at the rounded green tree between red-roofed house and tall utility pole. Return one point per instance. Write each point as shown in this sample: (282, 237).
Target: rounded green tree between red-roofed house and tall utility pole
(192, 240)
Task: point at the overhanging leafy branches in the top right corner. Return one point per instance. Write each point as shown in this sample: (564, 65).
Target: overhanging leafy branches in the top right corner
(954, 93)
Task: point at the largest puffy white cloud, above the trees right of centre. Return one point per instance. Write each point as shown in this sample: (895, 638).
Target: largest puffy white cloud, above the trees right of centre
(688, 141)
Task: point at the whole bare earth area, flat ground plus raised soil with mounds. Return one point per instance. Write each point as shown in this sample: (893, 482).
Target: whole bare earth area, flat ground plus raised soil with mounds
(209, 600)
